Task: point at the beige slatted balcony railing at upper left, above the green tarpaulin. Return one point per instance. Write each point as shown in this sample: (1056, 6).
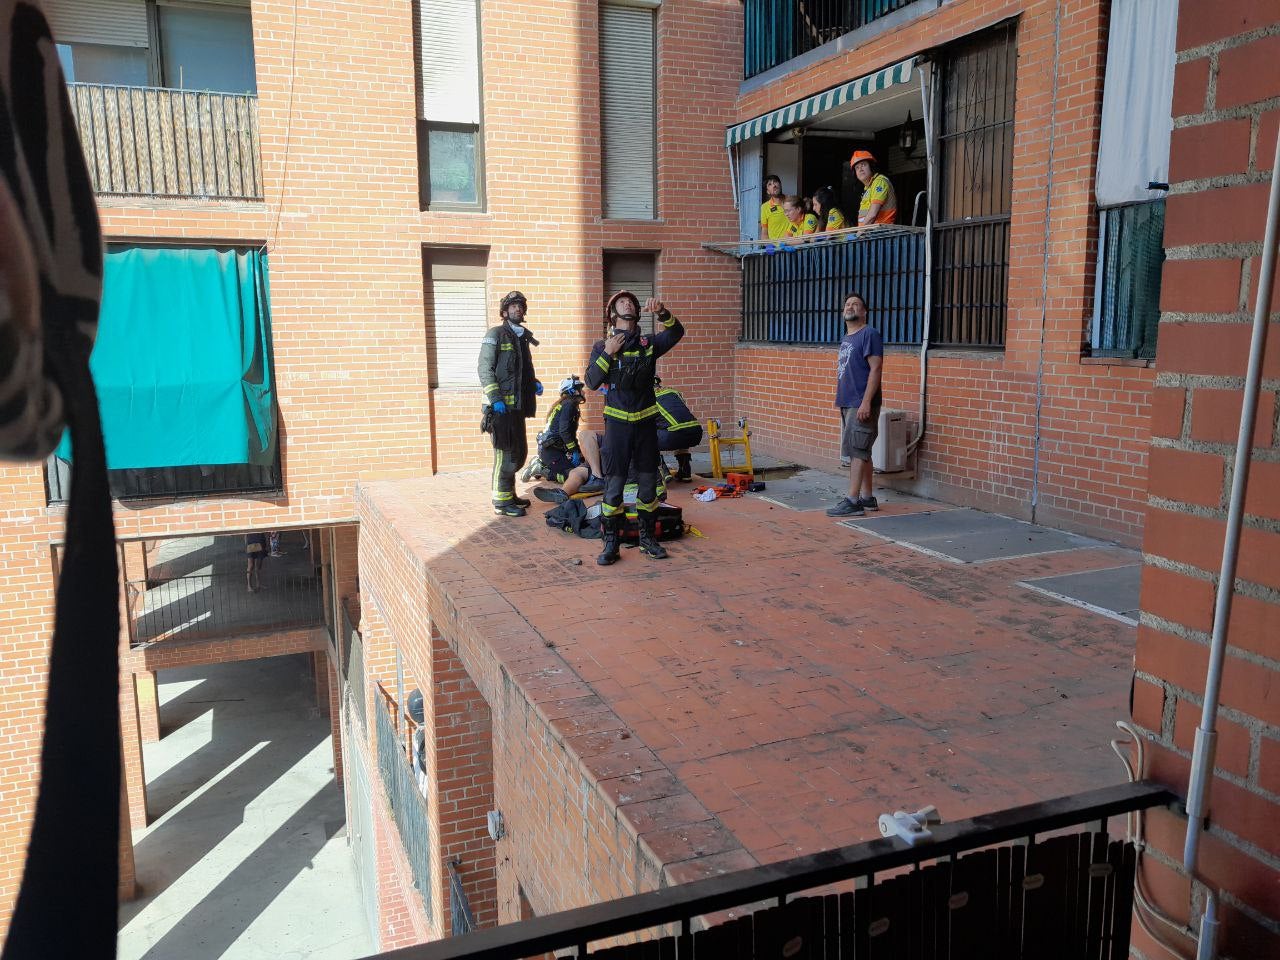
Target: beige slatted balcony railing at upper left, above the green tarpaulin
(161, 143)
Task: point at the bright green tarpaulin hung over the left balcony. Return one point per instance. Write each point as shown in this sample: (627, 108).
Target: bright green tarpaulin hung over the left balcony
(184, 359)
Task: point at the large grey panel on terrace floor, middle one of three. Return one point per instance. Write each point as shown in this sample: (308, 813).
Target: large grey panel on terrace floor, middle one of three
(971, 536)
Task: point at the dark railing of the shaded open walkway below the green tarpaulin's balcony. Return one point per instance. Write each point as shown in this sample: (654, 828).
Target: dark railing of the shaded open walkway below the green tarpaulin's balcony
(221, 605)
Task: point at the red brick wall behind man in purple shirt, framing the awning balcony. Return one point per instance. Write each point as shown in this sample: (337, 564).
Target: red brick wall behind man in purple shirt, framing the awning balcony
(981, 444)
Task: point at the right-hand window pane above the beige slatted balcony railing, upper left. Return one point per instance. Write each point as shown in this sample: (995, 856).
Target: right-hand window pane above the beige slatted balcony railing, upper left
(209, 47)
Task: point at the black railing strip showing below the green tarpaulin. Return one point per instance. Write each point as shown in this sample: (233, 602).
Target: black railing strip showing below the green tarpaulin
(171, 482)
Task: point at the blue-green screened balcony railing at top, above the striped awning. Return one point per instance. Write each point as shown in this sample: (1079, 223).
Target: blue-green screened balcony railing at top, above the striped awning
(776, 31)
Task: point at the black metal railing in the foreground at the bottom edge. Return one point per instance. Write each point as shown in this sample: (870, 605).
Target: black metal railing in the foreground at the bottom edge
(1063, 897)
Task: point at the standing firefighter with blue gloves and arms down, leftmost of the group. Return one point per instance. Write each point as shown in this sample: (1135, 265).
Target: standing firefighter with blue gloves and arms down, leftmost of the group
(511, 390)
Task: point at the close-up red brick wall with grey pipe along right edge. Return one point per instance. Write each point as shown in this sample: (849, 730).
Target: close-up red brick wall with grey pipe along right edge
(1227, 104)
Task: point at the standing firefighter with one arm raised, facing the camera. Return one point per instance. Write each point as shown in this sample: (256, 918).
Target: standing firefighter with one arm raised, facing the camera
(628, 363)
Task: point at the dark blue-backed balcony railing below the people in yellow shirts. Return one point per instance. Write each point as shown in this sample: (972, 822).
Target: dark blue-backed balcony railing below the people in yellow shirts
(796, 294)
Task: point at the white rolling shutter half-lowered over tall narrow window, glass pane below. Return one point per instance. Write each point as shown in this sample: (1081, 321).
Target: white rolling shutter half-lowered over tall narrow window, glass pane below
(450, 61)
